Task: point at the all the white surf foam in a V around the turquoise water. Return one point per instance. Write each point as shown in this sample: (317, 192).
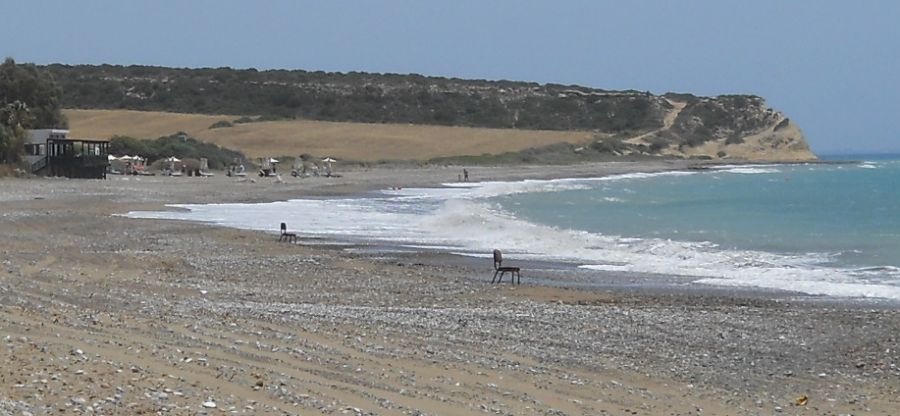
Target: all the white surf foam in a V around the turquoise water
(457, 219)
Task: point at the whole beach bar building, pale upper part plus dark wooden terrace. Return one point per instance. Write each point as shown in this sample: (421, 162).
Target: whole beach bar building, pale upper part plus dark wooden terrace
(50, 152)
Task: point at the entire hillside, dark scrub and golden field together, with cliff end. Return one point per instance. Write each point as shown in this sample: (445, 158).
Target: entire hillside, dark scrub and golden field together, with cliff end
(376, 110)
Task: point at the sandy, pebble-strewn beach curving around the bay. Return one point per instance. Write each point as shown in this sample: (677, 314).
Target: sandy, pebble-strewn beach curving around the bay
(102, 314)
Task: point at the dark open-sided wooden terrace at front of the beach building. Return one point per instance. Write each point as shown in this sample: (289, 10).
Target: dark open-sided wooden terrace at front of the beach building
(77, 158)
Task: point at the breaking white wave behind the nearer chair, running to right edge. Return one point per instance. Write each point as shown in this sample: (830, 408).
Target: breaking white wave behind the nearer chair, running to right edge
(484, 228)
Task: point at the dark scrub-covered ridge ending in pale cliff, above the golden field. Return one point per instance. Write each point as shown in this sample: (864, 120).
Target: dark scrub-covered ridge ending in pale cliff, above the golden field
(623, 122)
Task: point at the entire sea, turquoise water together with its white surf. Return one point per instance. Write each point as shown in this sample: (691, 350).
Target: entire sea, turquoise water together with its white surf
(824, 229)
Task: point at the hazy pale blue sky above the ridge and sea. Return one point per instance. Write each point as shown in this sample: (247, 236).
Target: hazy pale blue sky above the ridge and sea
(832, 66)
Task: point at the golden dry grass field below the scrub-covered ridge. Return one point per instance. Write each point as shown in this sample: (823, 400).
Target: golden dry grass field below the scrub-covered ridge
(351, 141)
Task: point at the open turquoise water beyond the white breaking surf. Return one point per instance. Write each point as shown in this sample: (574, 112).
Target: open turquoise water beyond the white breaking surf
(847, 214)
